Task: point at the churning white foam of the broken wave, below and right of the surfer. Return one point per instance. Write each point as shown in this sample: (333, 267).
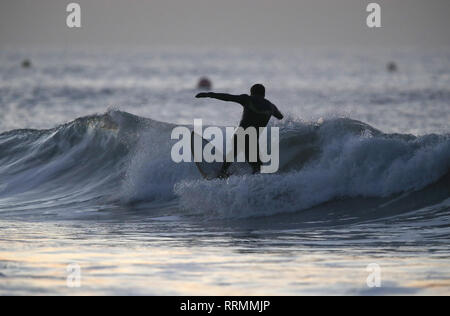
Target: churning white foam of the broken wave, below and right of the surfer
(349, 165)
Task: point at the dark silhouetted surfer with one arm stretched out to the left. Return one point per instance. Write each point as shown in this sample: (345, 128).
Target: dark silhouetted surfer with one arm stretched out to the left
(257, 113)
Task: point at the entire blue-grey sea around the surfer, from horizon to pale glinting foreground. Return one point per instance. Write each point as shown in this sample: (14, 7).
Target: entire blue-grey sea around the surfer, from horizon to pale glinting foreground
(86, 177)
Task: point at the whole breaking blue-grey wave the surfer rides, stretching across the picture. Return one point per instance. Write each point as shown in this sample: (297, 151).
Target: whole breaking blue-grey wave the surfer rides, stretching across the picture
(125, 158)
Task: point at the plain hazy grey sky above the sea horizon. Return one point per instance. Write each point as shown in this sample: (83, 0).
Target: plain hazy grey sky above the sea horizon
(225, 23)
